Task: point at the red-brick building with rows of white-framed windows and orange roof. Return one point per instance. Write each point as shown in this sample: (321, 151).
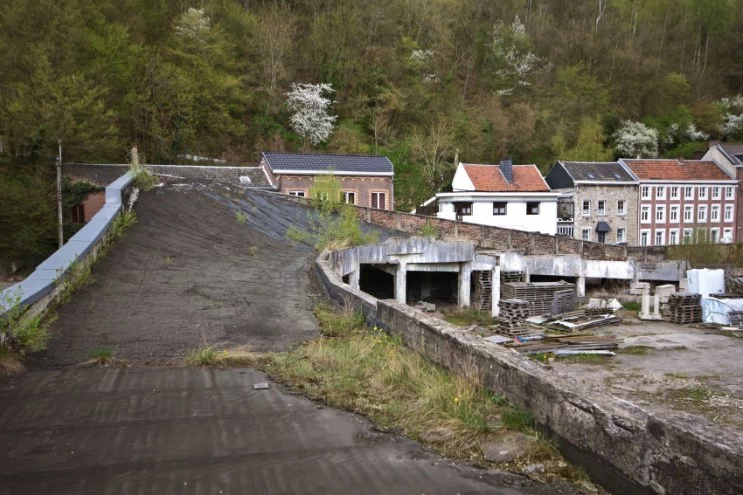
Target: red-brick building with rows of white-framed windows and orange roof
(677, 198)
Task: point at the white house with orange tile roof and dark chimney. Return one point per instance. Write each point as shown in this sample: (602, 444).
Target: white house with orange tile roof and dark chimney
(505, 195)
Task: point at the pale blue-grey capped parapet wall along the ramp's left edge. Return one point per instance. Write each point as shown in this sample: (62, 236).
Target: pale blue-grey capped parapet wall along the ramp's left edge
(38, 289)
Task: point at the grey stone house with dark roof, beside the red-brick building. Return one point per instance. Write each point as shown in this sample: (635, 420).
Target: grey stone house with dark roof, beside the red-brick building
(599, 201)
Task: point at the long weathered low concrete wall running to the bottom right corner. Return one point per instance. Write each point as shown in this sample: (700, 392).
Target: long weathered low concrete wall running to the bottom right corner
(621, 445)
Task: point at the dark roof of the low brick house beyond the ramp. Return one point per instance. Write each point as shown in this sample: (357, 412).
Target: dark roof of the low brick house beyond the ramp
(316, 162)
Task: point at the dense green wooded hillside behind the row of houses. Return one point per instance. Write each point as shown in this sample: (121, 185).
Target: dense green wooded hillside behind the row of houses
(423, 81)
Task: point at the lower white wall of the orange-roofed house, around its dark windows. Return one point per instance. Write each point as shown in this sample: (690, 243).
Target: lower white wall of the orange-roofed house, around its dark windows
(516, 217)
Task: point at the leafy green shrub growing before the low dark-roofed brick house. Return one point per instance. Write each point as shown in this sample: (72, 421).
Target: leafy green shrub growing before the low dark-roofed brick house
(332, 224)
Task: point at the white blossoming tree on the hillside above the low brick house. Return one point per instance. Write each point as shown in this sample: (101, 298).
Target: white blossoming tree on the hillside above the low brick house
(310, 118)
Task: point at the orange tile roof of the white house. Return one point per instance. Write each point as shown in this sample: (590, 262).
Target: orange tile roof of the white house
(488, 178)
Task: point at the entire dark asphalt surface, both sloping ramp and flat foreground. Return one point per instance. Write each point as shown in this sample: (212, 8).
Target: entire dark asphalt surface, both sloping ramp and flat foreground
(186, 275)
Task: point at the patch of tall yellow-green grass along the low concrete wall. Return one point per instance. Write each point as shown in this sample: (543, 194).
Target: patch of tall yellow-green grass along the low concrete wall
(367, 371)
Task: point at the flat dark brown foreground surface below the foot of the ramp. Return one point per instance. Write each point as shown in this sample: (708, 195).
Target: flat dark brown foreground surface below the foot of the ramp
(155, 430)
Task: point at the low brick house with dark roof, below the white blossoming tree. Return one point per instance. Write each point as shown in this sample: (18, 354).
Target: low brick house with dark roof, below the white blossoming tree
(366, 180)
